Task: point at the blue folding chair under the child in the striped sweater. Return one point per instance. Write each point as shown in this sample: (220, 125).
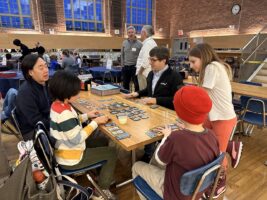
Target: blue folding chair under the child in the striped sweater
(45, 152)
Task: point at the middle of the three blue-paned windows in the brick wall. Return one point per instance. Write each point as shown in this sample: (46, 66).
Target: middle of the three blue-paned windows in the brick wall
(84, 15)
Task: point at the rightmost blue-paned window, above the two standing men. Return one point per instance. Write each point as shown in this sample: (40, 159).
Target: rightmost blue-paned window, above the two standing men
(138, 13)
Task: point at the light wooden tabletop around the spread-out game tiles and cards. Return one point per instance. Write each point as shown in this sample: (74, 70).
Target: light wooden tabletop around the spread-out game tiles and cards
(137, 129)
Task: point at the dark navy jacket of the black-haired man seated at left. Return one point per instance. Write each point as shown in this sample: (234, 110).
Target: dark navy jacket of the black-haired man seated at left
(32, 105)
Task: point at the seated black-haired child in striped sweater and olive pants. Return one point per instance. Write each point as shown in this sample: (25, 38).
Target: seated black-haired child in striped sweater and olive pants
(74, 147)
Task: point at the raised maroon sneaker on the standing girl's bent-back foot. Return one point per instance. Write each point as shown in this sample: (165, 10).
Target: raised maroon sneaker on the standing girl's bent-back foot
(234, 149)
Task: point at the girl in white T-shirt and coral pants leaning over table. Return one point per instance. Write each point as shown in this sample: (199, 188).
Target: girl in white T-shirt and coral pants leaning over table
(214, 77)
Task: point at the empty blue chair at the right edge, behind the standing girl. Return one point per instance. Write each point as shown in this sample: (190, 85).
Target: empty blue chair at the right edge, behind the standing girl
(254, 114)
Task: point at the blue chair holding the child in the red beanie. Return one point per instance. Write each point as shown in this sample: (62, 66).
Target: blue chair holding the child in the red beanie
(191, 183)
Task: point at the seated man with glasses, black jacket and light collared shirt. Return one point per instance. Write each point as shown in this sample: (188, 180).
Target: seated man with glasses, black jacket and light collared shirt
(162, 81)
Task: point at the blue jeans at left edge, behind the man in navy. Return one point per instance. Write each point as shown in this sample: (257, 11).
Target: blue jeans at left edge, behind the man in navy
(9, 103)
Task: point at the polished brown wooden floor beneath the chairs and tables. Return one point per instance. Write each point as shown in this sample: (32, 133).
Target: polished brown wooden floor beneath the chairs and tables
(247, 182)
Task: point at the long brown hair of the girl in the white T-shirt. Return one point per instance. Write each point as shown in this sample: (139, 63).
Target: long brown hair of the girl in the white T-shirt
(207, 55)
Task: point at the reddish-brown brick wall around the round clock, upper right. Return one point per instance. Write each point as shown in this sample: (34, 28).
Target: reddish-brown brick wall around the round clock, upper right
(190, 15)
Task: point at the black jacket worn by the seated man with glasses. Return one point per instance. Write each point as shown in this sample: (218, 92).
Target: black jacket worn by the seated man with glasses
(165, 89)
